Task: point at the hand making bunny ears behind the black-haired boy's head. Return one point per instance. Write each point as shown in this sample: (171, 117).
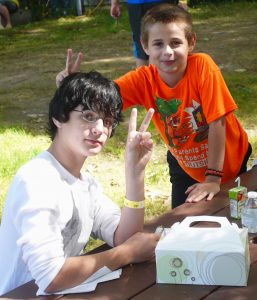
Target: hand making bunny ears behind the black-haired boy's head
(71, 67)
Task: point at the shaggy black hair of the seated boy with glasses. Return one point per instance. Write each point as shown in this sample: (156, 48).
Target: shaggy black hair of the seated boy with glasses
(92, 91)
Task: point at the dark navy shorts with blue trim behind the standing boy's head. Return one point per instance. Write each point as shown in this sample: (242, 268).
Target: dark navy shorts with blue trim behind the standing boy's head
(135, 12)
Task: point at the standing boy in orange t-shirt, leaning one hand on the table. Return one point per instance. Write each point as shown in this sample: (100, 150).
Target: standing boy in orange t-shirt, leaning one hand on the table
(193, 106)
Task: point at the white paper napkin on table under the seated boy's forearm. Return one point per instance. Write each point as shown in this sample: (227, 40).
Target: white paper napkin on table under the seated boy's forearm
(89, 285)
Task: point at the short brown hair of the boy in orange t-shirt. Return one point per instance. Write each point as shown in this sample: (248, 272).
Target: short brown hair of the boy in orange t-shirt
(166, 13)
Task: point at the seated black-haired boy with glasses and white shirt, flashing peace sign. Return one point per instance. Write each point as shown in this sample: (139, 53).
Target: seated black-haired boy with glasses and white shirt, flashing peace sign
(52, 208)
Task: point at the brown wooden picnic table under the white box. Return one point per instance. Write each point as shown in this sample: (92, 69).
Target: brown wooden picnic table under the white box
(138, 281)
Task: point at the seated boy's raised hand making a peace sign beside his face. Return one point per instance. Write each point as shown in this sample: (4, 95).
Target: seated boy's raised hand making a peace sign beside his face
(139, 144)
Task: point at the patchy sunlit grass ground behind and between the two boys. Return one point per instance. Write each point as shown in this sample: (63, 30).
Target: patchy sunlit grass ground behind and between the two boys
(33, 54)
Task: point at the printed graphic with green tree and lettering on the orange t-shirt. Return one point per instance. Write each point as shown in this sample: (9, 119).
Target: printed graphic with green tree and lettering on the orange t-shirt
(182, 125)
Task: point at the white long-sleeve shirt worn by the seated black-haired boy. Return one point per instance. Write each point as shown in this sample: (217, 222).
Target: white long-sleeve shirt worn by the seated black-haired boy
(49, 215)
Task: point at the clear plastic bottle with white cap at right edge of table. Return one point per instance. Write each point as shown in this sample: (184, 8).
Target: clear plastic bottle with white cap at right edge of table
(249, 212)
